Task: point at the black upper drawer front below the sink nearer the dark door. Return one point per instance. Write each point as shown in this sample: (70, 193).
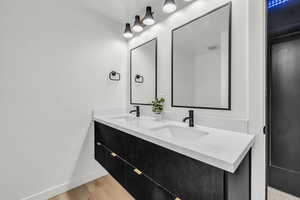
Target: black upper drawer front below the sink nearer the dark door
(185, 177)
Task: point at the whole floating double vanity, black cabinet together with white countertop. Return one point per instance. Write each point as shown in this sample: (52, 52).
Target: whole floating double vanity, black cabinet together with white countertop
(164, 160)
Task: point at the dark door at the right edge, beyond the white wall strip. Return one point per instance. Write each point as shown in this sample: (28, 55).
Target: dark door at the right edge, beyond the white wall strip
(284, 114)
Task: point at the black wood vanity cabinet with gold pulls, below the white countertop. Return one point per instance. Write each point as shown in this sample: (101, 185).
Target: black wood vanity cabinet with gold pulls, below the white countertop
(165, 174)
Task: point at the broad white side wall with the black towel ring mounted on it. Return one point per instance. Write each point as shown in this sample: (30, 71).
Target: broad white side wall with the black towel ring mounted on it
(55, 57)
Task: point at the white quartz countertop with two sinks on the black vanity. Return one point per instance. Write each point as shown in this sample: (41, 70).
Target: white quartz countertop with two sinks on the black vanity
(220, 148)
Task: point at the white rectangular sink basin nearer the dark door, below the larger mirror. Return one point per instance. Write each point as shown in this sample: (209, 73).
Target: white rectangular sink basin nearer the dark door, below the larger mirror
(179, 133)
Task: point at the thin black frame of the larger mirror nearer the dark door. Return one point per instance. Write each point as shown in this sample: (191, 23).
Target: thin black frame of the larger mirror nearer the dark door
(229, 59)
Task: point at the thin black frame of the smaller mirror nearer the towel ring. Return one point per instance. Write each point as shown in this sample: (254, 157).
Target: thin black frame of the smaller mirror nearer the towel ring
(131, 50)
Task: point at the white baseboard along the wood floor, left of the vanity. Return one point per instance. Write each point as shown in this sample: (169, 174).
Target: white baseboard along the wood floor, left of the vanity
(64, 187)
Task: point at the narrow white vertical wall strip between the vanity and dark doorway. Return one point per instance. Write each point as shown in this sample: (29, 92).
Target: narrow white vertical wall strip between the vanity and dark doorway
(257, 74)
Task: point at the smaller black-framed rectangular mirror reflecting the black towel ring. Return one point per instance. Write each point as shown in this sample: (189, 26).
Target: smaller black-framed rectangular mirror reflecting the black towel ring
(143, 77)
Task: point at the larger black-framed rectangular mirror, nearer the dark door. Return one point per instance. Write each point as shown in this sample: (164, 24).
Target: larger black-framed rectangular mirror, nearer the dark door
(201, 61)
